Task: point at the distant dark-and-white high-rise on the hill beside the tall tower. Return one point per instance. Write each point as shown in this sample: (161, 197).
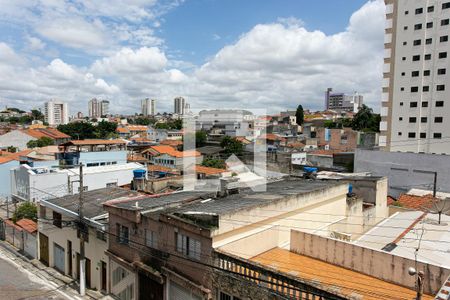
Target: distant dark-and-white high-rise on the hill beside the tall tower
(342, 101)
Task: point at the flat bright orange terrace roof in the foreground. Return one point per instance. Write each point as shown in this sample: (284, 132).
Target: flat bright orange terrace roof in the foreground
(328, 275)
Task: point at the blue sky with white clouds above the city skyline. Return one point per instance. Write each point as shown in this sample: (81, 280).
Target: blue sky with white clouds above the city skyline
(269, 54)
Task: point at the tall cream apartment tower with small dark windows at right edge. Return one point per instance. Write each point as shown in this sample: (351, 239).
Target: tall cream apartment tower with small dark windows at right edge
(416, 87)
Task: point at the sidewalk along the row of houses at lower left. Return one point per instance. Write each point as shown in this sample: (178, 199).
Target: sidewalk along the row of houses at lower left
(64, 284)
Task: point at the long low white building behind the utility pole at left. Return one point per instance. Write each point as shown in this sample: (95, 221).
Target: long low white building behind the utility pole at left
(40, 183)
